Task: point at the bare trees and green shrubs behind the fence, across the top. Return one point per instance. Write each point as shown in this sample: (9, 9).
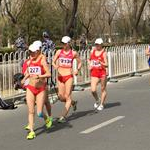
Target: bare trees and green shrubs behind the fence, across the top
(116, 21)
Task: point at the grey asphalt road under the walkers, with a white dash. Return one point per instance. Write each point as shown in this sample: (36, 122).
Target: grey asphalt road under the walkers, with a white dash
(124, 124)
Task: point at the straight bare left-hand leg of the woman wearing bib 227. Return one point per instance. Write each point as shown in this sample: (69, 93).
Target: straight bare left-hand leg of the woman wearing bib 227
(30, 99)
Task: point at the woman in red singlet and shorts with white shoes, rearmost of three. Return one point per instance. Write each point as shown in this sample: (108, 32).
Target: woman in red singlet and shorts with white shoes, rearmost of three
(98, 69)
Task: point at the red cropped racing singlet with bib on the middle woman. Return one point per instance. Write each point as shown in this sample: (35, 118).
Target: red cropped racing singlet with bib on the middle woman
(66, 60)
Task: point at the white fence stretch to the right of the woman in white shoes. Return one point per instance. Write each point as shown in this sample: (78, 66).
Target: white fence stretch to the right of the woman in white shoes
(124, 60)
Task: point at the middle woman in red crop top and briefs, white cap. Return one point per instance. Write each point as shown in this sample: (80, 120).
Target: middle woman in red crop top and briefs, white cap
(63, 62)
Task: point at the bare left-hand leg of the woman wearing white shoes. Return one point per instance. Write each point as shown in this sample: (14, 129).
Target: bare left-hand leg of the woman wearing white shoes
(94, 83)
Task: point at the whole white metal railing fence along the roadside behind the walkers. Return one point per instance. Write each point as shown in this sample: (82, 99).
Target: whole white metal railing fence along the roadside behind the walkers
(122, 60)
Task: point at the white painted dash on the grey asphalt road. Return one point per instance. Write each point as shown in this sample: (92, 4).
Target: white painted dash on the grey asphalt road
(89, 130)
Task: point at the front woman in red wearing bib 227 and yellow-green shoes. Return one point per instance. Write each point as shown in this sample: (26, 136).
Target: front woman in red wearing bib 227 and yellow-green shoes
(37, 72)
